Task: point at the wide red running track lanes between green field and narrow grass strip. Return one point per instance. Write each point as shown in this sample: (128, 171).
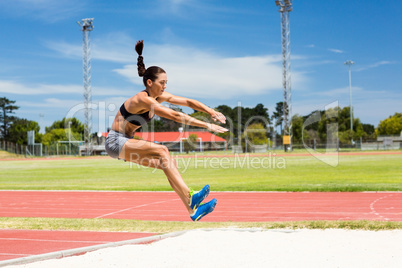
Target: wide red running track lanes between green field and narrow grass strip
(232, 206)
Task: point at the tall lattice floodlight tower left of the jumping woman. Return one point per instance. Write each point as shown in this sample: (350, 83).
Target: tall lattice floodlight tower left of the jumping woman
(87, 27)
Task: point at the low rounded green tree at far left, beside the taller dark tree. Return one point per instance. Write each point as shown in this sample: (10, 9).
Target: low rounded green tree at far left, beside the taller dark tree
(19, 128)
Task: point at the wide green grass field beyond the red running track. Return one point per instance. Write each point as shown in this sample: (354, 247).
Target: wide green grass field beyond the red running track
(281, 173)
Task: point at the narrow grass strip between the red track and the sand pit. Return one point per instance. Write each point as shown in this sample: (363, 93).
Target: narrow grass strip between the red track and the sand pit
(116, 225)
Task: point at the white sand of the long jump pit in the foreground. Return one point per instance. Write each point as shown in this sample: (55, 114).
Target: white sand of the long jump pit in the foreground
(234, 248)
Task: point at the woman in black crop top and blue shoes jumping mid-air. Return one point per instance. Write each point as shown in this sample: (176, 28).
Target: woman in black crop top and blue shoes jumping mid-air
(139, 110)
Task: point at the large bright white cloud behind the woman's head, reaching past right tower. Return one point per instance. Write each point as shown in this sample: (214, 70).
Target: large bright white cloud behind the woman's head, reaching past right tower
(196, 73)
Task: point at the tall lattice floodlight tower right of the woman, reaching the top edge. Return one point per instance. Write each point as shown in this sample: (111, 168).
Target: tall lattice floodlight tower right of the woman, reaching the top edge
(285, 6)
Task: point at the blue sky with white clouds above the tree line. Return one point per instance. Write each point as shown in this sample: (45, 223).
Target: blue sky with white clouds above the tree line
(216, 51)
